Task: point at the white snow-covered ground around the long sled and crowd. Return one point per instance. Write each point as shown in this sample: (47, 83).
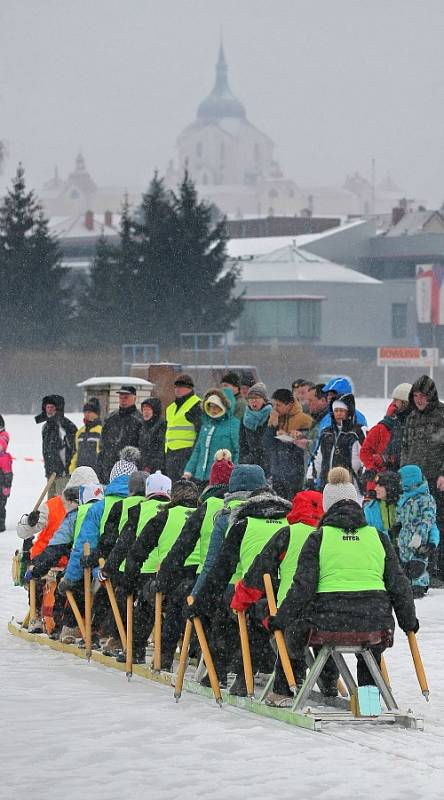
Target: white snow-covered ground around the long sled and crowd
(71, 728)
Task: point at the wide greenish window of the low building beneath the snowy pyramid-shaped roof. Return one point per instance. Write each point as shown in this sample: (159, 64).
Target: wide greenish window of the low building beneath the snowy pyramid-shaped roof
(282, 319)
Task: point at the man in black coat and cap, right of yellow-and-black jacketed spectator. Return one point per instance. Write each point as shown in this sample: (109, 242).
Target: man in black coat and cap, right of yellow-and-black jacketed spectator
(120, 429)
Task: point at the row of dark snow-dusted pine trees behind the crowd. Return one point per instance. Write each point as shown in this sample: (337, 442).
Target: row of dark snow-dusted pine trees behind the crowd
(167, 274)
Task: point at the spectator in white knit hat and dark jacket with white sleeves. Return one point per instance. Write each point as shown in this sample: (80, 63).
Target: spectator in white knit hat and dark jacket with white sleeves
(339, 444)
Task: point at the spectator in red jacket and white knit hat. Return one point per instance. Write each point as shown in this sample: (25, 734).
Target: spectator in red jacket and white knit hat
(381, 449)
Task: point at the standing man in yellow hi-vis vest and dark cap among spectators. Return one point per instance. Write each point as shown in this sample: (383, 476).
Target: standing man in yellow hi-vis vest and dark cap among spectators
(183, 418)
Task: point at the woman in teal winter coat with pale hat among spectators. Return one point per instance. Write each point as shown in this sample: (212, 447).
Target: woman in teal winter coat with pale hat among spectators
(219, 430)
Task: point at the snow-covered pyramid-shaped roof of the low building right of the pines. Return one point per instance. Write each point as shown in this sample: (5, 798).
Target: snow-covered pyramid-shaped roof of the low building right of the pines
(292, 263)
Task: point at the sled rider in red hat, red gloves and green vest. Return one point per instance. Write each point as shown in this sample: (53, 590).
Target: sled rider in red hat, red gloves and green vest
(279, 559)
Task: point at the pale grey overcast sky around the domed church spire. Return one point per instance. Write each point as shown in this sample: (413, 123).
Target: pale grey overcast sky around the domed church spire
(333, 82)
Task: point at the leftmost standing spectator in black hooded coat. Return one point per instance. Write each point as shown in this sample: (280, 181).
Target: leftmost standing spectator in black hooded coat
(58, 440)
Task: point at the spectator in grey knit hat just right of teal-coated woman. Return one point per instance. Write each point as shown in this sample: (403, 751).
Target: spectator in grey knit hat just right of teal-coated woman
(254, 425)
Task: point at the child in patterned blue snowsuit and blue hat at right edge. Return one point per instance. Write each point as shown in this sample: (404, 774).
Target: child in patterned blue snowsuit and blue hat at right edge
(419, 532)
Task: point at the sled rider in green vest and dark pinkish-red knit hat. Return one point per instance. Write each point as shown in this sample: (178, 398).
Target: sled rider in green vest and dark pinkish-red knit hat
(185, 560)
